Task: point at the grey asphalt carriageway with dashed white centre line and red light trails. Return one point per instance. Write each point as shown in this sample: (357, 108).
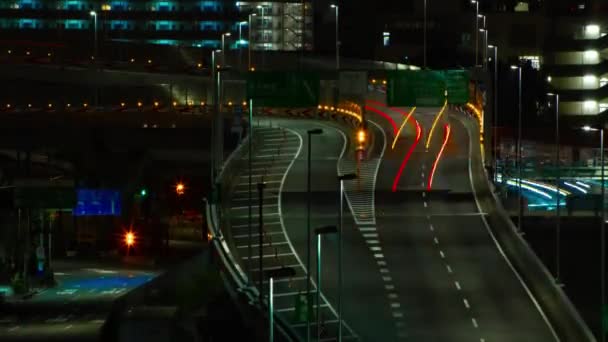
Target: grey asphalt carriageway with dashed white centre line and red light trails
(451, 281)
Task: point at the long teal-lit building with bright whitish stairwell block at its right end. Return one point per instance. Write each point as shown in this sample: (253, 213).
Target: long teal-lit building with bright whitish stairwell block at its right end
(131, 26)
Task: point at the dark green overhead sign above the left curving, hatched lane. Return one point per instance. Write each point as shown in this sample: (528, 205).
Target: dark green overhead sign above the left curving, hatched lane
(283, 89)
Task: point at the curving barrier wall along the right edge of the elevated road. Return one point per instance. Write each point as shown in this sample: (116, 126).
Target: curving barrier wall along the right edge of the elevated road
(556, 306)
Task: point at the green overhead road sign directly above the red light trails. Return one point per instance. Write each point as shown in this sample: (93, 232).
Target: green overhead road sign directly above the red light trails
(426, 88)
